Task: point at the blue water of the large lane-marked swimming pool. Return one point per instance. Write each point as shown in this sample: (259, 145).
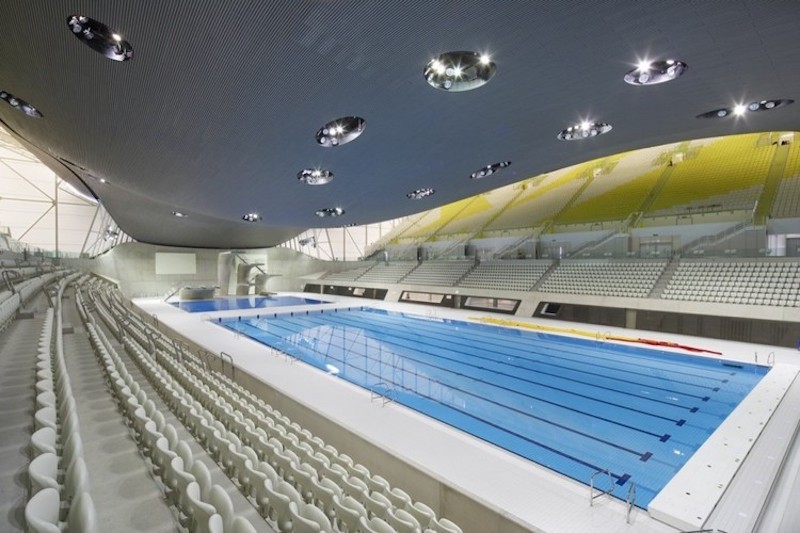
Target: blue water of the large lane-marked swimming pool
(573, 405)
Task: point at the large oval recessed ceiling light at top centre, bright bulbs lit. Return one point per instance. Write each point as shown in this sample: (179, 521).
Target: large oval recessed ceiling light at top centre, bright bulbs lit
(459, 71)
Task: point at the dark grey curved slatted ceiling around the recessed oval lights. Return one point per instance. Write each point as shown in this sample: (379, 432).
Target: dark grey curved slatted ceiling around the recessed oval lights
(216, 112)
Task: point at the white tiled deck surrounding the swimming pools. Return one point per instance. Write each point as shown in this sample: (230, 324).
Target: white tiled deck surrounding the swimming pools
(534, 496)
